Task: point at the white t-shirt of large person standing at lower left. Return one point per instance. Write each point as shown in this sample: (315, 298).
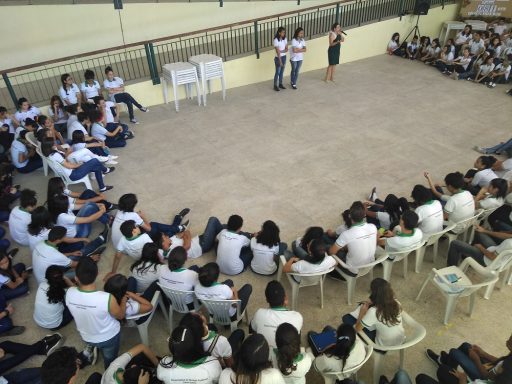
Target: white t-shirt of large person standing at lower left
(90, 309)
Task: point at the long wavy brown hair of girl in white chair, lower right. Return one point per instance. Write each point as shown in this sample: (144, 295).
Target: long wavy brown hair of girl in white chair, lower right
(383, 298)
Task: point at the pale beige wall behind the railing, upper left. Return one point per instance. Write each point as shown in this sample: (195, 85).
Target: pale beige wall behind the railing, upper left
(44, 32)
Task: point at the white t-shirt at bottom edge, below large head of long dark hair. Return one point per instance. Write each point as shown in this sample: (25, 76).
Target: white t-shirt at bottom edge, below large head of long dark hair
(205, 371)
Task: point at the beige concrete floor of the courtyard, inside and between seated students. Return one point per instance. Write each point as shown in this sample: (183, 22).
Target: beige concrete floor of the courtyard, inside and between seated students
(300, 158)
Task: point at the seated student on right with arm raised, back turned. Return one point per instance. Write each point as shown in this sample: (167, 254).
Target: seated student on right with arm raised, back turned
(460, 205)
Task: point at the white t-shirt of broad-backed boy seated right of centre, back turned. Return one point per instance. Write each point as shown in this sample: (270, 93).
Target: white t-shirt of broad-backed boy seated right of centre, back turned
(361, 241)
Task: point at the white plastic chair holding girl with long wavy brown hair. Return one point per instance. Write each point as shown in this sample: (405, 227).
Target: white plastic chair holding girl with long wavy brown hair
(417, 332)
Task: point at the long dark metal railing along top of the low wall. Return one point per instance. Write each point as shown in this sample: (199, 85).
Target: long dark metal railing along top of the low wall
(143, 60)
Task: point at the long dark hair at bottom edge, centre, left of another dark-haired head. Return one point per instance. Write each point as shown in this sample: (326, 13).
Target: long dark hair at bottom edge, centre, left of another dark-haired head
(251, 360)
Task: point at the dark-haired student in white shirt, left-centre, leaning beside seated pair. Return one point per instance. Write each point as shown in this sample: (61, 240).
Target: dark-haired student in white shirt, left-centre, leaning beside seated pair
(130, 244)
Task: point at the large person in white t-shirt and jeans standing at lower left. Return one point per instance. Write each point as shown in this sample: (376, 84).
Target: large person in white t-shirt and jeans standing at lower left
(96, 313)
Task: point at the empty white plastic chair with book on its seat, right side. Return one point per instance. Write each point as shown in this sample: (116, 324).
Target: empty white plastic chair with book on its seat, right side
(461, 286)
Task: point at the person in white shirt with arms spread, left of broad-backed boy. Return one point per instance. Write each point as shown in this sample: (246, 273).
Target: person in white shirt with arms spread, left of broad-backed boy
(317, 261)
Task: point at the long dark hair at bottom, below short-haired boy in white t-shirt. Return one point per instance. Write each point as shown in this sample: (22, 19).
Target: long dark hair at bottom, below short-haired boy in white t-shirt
(288, 348)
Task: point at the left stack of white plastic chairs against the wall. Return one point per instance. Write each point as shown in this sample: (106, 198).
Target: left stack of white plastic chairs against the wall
(180, 74)
